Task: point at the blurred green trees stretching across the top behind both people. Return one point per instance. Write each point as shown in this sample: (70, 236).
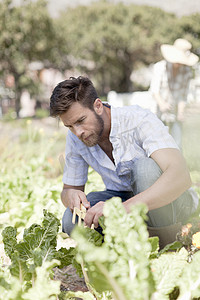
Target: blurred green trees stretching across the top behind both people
(112, 39)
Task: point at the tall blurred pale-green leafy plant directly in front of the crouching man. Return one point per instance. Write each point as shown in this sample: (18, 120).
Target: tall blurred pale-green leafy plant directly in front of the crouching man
(121, 264)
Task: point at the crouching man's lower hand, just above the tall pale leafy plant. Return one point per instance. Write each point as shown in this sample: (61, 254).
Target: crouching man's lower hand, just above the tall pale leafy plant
(93, 214)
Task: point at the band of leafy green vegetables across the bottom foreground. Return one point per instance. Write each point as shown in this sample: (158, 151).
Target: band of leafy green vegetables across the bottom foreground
(127, 265)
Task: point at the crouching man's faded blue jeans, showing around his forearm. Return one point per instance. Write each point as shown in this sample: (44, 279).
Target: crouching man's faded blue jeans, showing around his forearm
(144, 173)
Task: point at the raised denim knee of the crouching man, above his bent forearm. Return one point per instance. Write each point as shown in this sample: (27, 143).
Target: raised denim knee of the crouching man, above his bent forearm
(145, 172)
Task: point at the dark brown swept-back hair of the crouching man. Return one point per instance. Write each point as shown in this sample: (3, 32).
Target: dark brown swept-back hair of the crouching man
(69, 91)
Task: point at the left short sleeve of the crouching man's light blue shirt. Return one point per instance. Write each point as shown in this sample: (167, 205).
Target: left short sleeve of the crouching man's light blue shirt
(76, 169)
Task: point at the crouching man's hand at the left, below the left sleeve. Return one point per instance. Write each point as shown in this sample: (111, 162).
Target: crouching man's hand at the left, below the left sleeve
(72, 196)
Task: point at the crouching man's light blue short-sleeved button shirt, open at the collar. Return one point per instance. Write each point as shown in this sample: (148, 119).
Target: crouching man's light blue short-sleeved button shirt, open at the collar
(135, 133)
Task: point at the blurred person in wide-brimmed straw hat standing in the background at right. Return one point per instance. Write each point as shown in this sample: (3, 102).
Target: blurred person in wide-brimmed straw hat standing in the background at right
(170, 83)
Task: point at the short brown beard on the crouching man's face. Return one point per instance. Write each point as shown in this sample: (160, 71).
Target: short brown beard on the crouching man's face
(95, 136)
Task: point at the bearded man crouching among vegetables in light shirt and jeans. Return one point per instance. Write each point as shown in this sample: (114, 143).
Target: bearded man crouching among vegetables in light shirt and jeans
(130, 148)
